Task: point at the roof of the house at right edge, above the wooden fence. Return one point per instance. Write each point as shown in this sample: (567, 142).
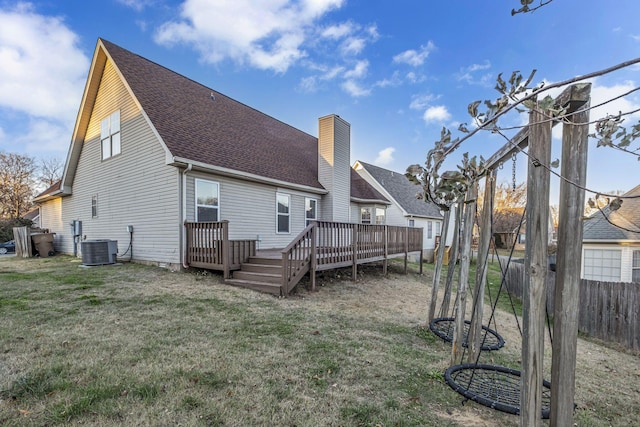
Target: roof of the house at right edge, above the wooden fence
(596, 227)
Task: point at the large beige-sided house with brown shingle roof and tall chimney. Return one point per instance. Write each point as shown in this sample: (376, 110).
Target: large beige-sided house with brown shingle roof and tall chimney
(152, 149)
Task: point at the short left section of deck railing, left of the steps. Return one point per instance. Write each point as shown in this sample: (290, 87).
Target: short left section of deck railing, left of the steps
(208, 246)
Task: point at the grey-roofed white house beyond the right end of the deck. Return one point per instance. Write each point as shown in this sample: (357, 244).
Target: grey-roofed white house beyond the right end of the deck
(405, 209)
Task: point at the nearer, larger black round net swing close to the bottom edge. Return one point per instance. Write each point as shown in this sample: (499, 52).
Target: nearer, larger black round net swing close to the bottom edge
(494, 386)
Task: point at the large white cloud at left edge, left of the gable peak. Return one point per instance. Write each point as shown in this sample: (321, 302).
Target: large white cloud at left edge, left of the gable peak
(42, 78)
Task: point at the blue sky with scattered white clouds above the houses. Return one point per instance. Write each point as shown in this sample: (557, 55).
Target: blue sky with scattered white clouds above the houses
(398, 71)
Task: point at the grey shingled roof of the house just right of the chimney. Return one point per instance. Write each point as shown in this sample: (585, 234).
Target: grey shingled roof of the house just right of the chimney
(403, 191)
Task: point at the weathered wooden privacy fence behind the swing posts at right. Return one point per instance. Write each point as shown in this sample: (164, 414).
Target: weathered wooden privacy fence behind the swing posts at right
(608, 310)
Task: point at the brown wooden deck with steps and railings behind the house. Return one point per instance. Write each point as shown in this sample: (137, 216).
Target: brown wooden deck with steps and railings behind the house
(320, 246)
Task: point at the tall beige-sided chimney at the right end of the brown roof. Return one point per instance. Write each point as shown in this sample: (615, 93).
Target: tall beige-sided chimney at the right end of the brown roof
(334, 170)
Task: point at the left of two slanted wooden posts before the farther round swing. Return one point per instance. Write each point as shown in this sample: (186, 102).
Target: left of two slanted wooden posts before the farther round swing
(463, 279)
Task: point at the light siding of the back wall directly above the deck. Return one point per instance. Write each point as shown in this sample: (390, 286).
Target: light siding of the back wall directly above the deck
(250, 209)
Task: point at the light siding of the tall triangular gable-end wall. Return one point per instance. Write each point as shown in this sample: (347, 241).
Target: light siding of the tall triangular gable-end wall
(134, 188)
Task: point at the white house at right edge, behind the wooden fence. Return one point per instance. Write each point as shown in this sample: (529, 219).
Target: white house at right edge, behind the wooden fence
(611, 252)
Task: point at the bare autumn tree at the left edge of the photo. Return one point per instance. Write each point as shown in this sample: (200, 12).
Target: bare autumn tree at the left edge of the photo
(16, 184)
